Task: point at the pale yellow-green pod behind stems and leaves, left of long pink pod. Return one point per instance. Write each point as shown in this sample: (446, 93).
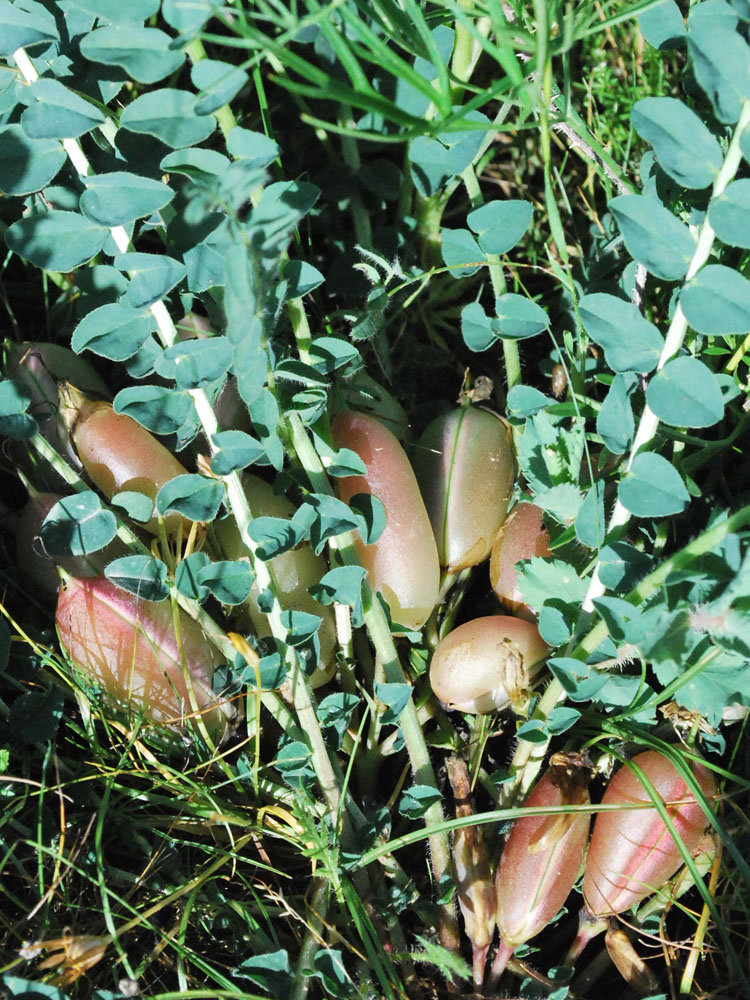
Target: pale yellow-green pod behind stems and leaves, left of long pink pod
(294, 572)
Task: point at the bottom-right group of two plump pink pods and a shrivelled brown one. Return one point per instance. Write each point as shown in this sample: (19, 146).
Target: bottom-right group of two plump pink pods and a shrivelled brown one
(633, 851)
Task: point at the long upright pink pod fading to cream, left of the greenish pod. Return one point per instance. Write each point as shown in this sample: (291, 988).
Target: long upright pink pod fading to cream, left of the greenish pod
(403, 563)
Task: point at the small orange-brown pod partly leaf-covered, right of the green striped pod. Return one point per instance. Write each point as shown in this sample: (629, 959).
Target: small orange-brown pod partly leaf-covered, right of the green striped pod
(522, 537)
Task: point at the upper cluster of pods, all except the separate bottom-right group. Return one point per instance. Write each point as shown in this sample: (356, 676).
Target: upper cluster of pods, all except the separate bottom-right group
(444, 508)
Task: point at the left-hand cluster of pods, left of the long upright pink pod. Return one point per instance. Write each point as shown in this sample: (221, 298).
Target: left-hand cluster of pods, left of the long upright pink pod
(149, 659)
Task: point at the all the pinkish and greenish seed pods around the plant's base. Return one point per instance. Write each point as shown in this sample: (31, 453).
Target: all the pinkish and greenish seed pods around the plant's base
(445, 511)
